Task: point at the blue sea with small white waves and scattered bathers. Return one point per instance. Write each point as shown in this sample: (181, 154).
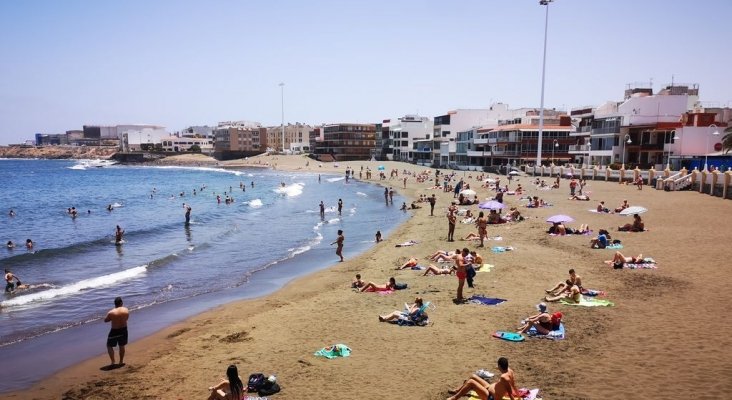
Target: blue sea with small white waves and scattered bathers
(269, 233)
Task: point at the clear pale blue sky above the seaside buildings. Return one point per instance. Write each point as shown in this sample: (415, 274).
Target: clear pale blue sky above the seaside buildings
(176, 63)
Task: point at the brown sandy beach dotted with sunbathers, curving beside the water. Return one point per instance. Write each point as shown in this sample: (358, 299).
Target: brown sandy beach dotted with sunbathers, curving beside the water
(665, 336)
